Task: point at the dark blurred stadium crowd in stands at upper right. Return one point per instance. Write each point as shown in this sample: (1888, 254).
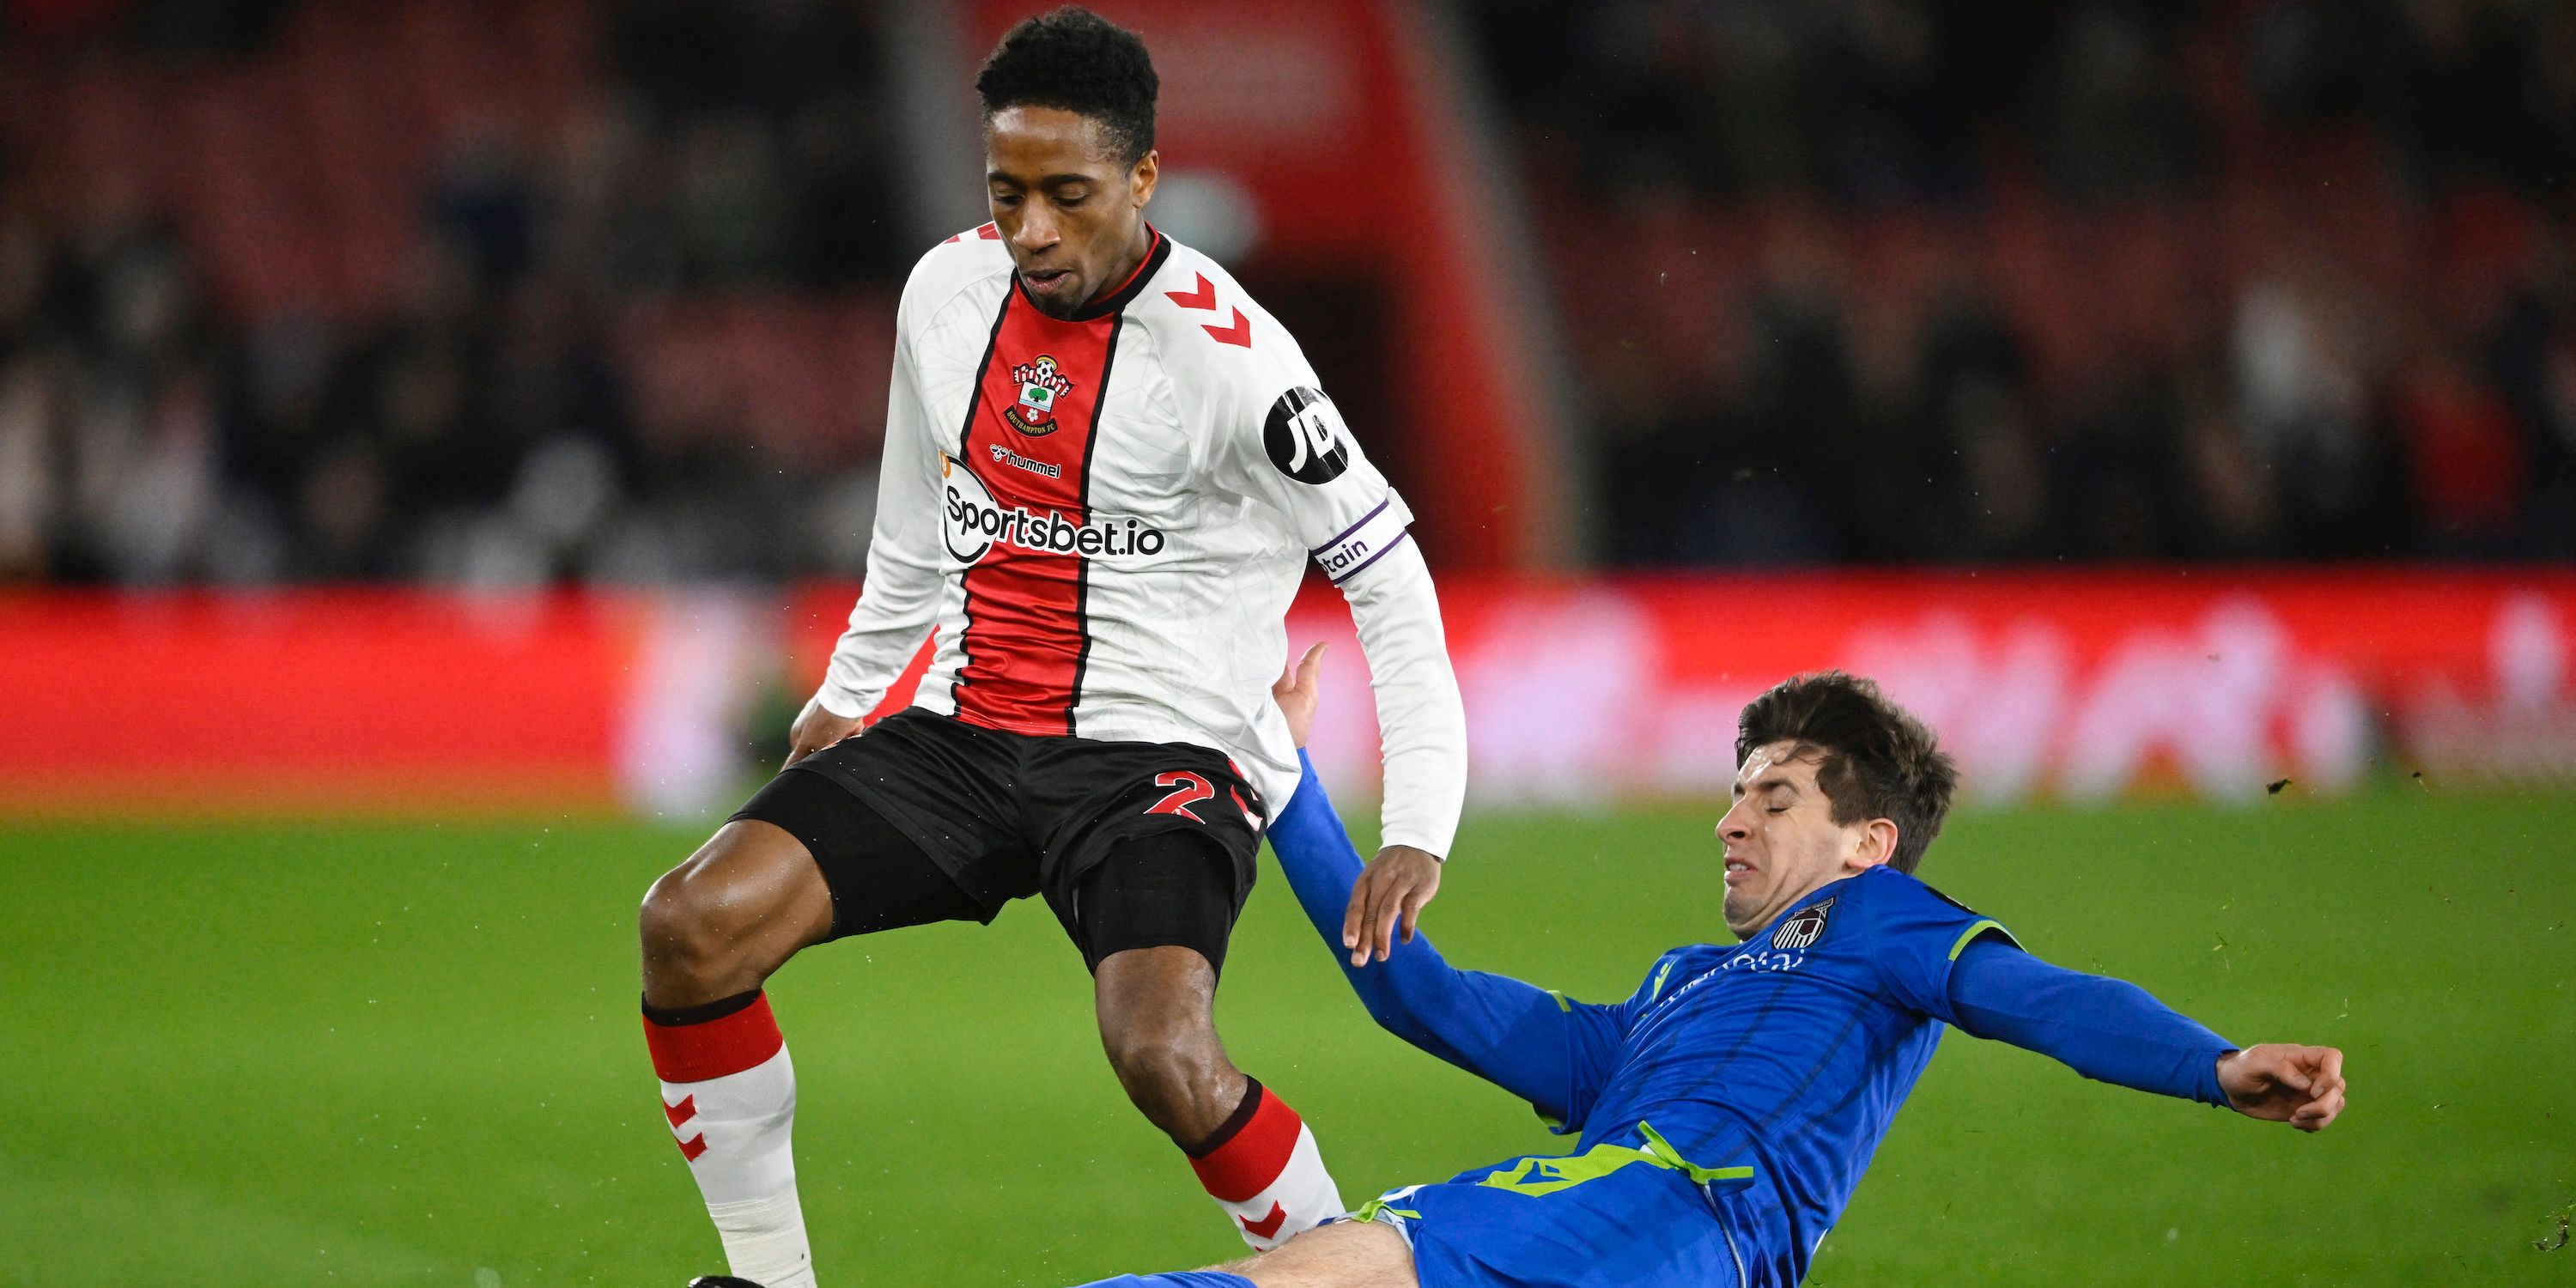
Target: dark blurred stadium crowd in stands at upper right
(2029, 279)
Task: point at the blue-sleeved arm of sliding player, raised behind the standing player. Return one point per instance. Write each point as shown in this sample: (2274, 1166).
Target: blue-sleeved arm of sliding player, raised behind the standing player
(1519, 1037)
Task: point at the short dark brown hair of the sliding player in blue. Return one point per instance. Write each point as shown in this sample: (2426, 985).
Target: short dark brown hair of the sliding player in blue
(1877, 761)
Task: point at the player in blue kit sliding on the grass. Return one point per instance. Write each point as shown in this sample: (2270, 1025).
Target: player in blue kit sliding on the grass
(1725, 1112)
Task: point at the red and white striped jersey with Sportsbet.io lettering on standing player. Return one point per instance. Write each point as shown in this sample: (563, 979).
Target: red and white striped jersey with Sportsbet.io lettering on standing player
(1106, 519)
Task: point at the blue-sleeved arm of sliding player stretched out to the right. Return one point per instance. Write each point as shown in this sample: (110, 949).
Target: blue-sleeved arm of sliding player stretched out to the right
(2116, 1032)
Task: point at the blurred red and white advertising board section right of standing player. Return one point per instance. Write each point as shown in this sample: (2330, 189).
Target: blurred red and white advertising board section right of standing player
(2080, 687)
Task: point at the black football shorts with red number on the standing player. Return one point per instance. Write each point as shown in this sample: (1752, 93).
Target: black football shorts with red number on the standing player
(926, 818)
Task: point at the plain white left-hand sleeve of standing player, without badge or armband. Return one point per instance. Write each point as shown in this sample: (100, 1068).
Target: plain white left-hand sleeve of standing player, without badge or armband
(900, 596)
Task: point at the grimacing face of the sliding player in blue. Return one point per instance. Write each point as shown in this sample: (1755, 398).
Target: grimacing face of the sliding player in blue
(1781, 838)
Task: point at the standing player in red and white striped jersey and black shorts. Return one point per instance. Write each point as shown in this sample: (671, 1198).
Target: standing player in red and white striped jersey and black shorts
(1106, 470)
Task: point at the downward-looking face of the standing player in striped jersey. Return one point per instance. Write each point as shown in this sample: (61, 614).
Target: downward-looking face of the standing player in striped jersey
(1070, 210)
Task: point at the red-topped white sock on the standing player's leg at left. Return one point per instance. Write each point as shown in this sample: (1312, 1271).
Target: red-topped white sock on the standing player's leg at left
(730, 1096)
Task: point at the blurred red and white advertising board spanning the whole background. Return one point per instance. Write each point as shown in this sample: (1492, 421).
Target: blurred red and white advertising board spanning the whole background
(2044, 684)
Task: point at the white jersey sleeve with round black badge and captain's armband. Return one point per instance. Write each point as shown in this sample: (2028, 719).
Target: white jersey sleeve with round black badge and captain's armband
(1282, 444)
